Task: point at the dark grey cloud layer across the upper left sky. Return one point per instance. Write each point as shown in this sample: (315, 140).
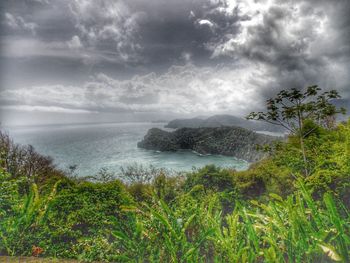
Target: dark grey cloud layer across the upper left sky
(132, 33)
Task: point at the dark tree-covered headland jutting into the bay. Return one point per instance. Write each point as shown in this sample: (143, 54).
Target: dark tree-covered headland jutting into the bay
(231, 141)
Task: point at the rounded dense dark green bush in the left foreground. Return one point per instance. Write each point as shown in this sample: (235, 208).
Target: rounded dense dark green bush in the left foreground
(85, 210)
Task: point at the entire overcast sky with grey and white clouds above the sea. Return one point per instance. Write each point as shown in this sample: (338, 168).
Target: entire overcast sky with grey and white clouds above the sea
(120, 60)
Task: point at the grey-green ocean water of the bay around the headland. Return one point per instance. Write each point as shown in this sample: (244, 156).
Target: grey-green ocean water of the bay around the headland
(111, 146)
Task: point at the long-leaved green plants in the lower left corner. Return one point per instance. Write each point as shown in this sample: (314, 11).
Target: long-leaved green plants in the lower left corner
(20, 222)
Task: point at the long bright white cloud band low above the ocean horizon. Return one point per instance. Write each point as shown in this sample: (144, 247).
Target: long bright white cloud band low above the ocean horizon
(181, 90)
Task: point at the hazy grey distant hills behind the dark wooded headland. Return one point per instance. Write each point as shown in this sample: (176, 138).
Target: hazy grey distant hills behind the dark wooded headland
(222, 120)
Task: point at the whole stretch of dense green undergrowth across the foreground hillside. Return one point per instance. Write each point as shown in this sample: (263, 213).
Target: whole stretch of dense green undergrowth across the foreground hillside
(270, 213)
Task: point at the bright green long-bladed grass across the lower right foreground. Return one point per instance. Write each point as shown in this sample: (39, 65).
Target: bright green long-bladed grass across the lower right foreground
(294, 229)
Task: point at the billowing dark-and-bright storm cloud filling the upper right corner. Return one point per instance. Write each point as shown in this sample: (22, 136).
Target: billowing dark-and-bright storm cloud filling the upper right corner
(298, 42)
